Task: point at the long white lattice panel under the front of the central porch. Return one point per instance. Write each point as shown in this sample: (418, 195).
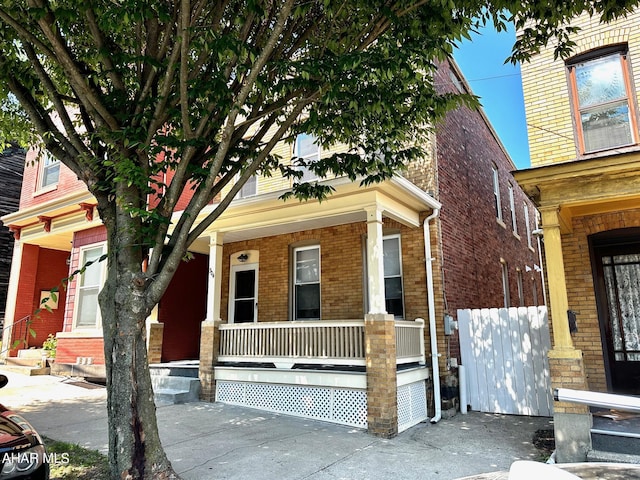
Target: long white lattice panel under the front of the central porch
(337, 405)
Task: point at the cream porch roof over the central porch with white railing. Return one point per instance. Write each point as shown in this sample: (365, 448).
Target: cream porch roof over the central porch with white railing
(267, 215)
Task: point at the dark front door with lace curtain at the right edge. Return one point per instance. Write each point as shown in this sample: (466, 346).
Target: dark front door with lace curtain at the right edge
(617, 266)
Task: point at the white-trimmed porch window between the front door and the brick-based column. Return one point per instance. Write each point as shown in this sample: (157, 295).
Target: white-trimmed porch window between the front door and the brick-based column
(306, 283)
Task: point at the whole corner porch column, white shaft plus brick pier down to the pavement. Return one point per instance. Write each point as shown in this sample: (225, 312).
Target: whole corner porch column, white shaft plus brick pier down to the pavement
(380, 339)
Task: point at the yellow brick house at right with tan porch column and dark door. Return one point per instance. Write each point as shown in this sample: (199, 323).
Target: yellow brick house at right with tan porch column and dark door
(584, 140)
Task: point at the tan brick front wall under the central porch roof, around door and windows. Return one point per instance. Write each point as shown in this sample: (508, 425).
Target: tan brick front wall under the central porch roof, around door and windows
(342, 278)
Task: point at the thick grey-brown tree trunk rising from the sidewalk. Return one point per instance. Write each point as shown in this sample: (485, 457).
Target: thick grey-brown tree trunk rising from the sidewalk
(135, 451)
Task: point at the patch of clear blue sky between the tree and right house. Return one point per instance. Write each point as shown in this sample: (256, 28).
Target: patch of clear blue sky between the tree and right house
(499, 87)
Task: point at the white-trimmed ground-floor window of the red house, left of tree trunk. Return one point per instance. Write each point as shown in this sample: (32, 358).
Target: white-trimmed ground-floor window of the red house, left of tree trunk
(87, 310)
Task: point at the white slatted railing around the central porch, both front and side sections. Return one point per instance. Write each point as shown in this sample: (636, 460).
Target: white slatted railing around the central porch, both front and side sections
(340, 342)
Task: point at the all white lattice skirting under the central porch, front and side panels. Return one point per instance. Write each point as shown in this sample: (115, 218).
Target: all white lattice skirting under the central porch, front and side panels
(337, 405)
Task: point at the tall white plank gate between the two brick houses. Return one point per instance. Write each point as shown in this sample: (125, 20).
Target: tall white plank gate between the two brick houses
(504, 352)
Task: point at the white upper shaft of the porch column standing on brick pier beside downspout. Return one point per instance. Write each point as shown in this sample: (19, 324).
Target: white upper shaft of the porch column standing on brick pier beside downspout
(375, 258)
